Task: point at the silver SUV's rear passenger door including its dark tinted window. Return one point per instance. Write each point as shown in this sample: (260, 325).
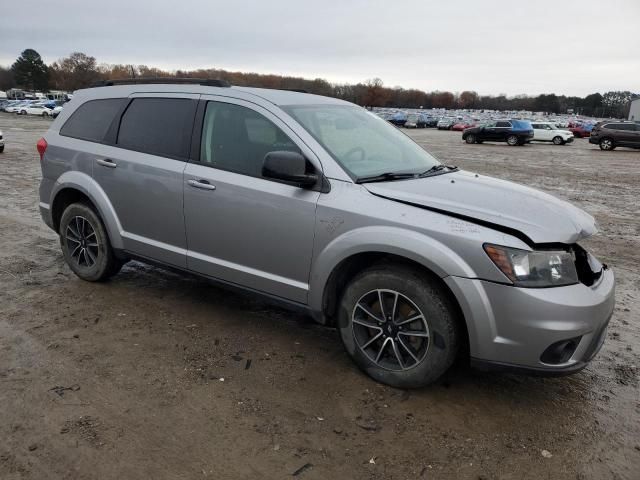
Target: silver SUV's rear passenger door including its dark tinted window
(141, 173)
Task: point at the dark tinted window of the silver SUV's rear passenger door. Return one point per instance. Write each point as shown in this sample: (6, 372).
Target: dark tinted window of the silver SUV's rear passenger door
(158, 126)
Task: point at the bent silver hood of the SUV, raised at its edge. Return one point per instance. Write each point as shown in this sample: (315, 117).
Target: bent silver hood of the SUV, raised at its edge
(540, 217)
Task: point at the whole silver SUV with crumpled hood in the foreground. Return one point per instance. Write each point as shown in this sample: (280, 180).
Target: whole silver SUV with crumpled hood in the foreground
(321, 204)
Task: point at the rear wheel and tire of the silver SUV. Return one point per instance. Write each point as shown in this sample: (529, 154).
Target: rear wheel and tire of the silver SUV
(85, 244)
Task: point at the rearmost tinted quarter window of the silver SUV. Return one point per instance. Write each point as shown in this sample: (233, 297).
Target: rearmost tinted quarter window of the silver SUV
(92, 119)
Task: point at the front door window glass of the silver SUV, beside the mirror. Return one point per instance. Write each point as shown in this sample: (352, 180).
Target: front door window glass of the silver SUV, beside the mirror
(236, 138)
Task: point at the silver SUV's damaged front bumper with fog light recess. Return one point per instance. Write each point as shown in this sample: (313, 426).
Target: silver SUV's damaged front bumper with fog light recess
(551, 331)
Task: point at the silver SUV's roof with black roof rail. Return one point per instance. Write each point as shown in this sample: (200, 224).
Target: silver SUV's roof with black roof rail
(276, 97)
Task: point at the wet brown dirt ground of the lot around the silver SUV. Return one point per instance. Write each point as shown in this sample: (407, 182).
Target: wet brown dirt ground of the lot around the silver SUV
(157, 375)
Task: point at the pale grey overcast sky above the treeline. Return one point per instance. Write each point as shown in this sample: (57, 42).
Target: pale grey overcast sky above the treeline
(512, 47)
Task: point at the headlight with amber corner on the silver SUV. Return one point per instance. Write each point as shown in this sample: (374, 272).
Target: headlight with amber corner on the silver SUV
(540, 268)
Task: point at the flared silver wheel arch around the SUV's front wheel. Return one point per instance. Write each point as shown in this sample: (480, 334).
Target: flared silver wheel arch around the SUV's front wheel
(422, 249)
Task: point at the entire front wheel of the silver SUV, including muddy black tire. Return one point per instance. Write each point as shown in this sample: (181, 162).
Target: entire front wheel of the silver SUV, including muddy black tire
(399, 326)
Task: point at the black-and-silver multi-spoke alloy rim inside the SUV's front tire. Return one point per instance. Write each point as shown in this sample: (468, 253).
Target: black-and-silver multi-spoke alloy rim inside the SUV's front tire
(390, 330)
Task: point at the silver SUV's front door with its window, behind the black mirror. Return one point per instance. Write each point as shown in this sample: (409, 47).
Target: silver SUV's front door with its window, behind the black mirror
(243, 228)
